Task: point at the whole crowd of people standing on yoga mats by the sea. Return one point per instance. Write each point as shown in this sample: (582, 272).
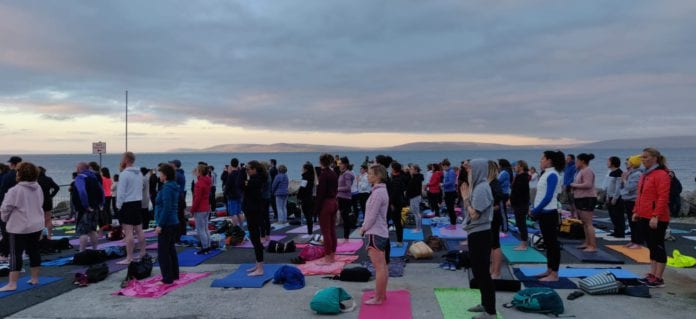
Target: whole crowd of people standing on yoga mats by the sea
(484, 190)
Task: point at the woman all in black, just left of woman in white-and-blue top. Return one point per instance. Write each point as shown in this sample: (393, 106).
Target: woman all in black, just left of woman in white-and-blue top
(519, 201)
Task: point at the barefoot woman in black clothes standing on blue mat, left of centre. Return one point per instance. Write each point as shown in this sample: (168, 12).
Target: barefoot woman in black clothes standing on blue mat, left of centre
(254, 207)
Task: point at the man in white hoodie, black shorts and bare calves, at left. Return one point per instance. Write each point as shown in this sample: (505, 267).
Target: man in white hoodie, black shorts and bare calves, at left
(129, 201)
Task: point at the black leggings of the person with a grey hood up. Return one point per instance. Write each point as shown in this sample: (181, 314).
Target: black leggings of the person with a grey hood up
(480, 254)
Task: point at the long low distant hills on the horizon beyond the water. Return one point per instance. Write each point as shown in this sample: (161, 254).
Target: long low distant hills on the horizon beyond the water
(637, 143)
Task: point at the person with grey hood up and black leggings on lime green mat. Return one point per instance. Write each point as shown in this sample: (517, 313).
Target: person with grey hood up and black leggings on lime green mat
(477, 202)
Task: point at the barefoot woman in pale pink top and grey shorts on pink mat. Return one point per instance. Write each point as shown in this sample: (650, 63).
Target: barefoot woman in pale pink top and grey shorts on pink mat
(375, 227)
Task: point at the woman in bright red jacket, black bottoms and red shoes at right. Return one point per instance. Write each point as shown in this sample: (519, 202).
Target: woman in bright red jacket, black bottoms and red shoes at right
(651, 211)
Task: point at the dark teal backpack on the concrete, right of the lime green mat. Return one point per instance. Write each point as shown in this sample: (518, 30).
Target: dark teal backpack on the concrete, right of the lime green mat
(537, 300)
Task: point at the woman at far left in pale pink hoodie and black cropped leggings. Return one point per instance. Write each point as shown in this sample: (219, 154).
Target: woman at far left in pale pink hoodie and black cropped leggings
(22, 211)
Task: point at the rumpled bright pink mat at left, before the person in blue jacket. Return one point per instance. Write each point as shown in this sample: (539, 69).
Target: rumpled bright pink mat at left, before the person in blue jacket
(152, 287)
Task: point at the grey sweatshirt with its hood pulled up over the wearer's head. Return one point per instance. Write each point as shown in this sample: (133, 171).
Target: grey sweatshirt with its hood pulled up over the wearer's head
(481, 198)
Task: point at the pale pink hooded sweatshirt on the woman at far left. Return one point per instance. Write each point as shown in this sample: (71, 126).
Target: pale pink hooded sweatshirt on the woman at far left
(21, 208)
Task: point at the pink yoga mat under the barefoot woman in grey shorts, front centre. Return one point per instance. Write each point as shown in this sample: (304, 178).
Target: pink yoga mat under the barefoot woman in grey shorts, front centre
(397, 305)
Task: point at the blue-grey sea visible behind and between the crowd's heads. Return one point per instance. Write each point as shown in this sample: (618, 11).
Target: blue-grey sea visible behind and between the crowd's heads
(61, 166)
